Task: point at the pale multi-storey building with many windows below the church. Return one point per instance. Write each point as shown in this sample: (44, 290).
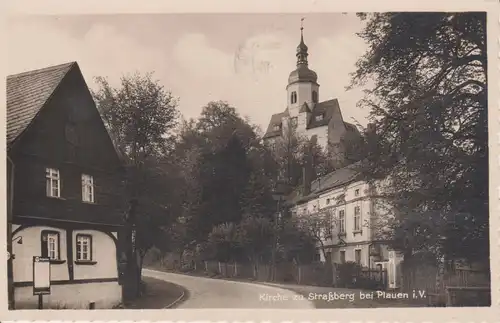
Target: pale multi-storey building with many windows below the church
(354, 214)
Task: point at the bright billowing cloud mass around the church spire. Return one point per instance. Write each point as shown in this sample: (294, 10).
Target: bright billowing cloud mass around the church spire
(254, 77)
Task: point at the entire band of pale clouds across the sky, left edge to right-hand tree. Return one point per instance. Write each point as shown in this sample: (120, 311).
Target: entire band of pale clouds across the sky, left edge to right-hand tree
(252, 76)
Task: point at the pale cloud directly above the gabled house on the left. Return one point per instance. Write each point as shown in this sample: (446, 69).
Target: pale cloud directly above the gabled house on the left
(102, 51)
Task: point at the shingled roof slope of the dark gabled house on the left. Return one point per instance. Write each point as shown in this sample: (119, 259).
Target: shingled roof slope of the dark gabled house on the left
(27, 93)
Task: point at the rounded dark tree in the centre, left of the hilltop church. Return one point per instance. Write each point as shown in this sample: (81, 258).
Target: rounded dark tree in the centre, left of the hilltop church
(220, 157)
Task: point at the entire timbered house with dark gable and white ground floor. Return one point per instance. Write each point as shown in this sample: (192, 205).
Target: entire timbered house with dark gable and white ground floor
(65, 188)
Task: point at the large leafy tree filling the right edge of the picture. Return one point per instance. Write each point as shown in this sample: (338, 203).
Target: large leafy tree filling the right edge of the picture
(429, 108)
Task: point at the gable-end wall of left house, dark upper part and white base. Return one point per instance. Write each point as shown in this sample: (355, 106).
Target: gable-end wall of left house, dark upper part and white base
(68, 134)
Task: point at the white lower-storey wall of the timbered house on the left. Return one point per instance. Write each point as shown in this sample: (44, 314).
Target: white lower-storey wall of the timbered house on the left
(73, 285)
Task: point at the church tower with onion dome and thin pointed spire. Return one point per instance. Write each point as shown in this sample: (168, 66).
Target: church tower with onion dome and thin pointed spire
(302, 88)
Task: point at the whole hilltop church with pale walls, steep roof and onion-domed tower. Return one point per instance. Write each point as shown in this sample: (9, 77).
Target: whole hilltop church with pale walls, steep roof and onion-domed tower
(305, 114)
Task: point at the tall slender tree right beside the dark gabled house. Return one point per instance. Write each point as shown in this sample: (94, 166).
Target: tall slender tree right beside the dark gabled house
(140, 115)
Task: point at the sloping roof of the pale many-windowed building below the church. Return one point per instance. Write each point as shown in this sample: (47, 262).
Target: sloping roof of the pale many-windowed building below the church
(335, 179)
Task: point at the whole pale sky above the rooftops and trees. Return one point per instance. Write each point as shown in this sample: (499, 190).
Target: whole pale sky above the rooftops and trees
(244, 59)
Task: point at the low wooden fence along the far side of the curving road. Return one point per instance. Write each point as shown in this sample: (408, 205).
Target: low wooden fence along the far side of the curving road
(449, 286)
